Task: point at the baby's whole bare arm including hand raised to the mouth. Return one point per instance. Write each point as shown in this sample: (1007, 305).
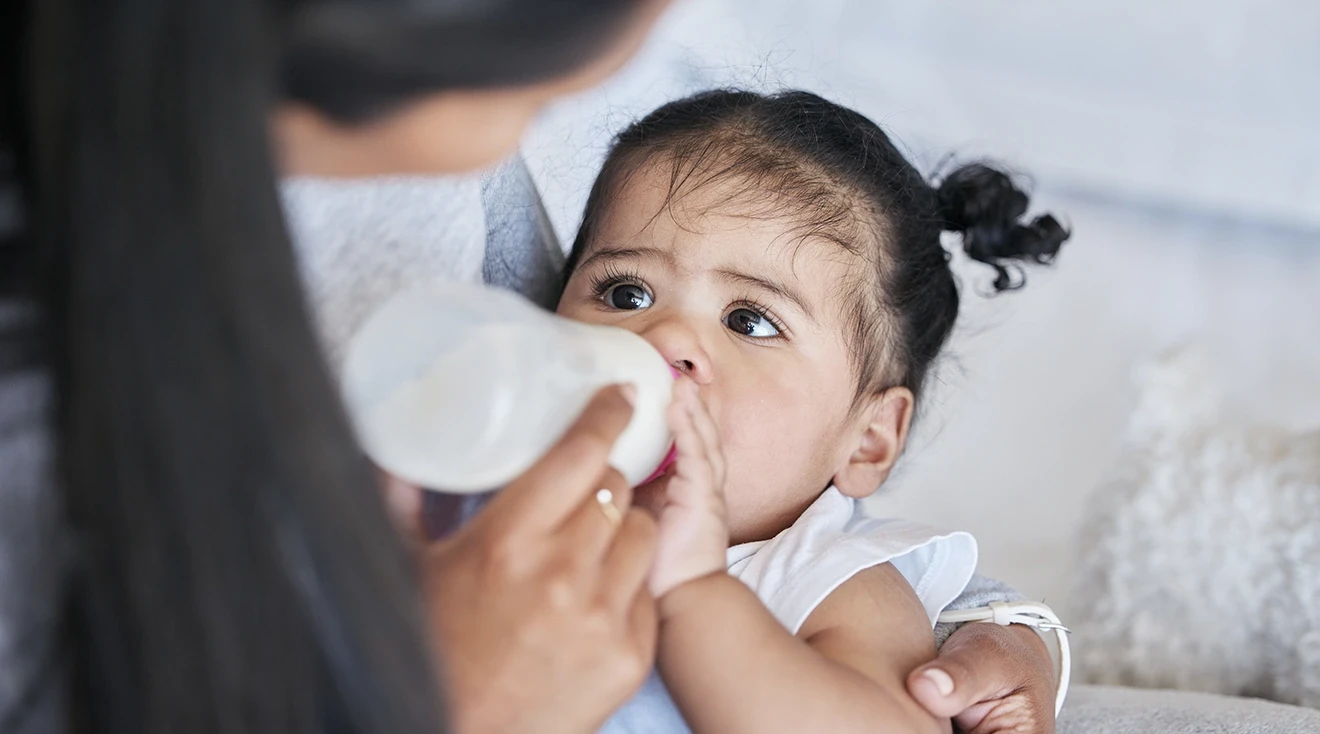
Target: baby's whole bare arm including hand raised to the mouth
(731, 665)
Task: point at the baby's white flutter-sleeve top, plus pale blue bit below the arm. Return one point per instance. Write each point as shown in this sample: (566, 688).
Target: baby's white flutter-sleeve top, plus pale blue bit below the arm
(795, 571)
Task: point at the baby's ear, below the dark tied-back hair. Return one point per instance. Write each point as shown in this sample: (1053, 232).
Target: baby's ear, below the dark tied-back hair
(881, 436)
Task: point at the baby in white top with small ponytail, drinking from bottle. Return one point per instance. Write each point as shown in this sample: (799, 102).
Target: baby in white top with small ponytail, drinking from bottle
(786, 258)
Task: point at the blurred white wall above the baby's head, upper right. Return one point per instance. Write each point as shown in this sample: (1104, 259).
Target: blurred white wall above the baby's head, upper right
(1208, 106)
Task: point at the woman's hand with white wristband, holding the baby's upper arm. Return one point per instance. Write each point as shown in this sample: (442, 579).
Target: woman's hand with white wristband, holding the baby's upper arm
(991, 679)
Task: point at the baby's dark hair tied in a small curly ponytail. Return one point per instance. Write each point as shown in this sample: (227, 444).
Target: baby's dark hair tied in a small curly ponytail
(847, 182)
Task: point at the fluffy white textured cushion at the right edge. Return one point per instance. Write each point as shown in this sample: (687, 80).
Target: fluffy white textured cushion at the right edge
(1201, 564)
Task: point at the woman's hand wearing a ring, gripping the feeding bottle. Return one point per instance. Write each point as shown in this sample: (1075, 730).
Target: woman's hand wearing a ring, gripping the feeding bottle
(539, 607)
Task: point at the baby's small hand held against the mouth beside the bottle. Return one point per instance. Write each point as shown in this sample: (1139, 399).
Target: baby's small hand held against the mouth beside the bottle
(690, 501)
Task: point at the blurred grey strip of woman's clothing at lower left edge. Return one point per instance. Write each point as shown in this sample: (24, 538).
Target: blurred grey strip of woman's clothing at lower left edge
(32, 558)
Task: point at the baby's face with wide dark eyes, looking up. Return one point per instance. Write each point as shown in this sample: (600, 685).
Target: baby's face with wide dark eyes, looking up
(753, 314)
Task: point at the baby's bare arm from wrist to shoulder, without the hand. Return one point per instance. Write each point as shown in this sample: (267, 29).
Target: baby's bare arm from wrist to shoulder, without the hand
(732, 667)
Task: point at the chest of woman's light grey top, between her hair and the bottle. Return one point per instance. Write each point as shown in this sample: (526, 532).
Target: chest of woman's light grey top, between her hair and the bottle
(361, 242)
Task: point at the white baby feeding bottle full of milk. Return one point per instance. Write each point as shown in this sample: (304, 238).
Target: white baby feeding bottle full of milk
(461, 389)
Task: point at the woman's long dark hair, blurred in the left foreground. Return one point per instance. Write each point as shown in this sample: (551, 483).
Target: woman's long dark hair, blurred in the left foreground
(234, 570)
